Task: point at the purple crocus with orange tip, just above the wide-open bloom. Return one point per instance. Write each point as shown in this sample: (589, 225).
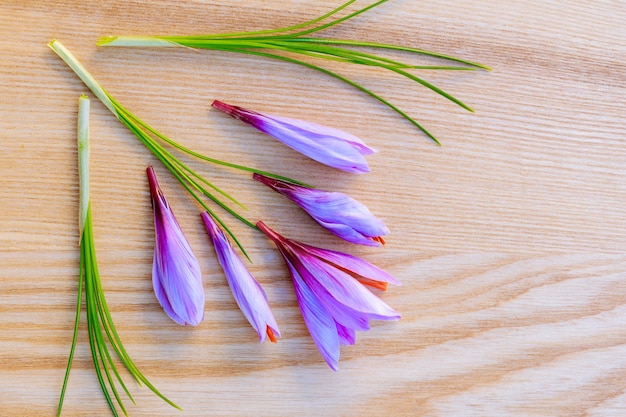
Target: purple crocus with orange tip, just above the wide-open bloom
(337, 212)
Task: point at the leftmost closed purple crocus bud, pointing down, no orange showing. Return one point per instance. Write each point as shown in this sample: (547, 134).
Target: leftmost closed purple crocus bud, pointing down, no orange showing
(176, 274)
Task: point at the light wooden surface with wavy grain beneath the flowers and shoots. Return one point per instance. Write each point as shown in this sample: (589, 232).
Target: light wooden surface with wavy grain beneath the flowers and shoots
(509, 238)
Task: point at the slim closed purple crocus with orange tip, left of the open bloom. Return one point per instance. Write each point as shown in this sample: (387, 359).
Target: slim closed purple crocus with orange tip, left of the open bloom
(247, 291)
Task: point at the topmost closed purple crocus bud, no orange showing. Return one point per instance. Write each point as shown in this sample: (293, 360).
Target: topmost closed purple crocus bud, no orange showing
(327, 145)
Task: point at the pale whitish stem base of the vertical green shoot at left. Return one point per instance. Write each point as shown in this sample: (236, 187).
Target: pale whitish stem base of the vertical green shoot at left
(83, 161)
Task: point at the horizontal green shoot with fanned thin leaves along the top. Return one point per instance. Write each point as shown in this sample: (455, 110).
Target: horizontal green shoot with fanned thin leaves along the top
(294, 40)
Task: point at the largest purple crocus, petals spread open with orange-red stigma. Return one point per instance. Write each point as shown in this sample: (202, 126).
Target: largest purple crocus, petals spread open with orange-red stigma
(331, 295)
